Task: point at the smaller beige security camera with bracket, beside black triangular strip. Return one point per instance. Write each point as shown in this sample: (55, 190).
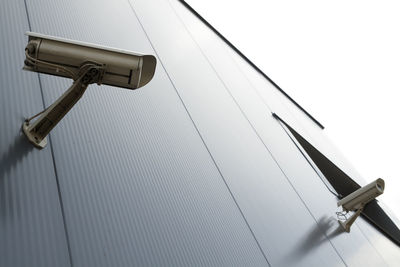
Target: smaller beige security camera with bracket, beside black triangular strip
(358, 199)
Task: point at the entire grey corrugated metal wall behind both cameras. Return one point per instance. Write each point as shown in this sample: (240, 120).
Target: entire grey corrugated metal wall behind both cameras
(191, 170)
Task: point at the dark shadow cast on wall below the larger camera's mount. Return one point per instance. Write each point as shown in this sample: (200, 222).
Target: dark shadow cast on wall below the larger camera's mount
(9, 160)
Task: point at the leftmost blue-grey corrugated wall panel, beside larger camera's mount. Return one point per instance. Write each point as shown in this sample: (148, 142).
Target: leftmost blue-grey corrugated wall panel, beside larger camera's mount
(31, 226)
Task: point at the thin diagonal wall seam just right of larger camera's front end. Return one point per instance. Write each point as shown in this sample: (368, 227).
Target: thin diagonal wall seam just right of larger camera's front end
(201, 137)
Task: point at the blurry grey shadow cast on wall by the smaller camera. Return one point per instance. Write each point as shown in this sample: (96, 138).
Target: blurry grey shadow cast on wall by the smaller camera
(325, 229)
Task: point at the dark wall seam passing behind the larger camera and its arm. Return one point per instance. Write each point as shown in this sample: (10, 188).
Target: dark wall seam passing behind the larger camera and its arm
(52, 157)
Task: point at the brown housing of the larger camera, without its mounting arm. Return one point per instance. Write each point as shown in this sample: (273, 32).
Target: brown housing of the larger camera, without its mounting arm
(121, 68)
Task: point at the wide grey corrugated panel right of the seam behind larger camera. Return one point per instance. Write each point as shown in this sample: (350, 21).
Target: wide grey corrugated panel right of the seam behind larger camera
(139, 188)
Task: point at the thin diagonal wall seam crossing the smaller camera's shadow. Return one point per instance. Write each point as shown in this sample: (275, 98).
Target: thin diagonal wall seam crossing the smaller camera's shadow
(257, 134)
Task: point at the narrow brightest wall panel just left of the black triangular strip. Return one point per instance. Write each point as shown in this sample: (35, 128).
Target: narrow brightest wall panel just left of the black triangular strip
(298, 171)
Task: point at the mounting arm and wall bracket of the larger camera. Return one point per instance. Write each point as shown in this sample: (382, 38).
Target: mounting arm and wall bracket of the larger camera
(36, 132)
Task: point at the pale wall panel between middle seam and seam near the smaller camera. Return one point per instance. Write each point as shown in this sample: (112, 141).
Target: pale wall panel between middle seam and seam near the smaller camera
(253, 176)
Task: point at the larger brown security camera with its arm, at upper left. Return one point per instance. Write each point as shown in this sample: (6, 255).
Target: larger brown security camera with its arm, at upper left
(85, 64)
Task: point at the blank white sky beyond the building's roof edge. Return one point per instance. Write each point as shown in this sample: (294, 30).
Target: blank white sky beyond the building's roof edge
(340, 60)
